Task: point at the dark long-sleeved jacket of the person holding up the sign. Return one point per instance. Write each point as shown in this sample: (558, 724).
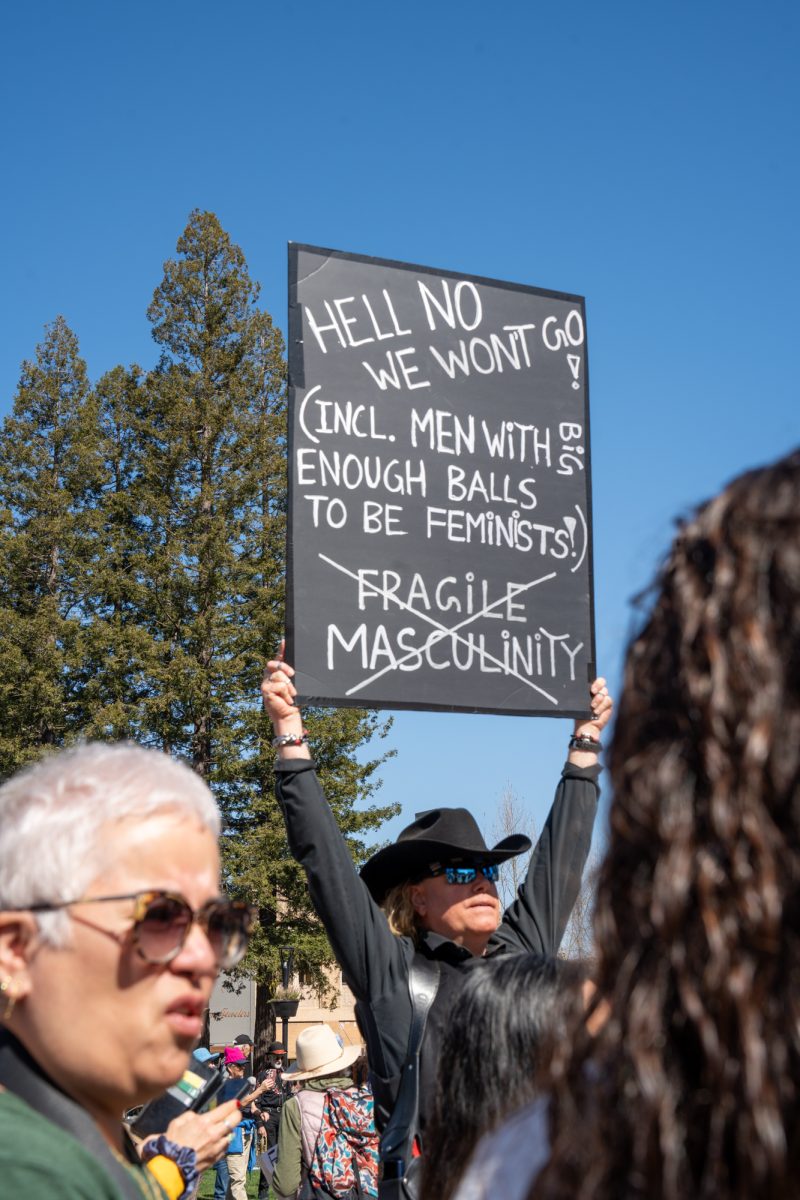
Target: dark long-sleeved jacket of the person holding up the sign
(376, 963)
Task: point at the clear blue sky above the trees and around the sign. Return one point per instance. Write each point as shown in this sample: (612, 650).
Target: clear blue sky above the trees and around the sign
(645, 157)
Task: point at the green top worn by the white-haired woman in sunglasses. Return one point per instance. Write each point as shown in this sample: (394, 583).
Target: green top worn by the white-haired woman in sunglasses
(41, 1162)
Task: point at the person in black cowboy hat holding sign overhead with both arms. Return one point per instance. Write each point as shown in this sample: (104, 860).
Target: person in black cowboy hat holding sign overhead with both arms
(432, 892)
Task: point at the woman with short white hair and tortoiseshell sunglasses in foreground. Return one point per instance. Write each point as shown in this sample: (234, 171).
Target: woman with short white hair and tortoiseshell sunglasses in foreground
(112, 934)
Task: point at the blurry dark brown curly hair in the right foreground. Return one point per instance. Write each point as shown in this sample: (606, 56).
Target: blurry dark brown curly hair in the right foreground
(691, 1087)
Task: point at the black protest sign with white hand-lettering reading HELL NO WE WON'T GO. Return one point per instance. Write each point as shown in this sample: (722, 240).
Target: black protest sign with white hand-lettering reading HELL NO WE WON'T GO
(440, 501)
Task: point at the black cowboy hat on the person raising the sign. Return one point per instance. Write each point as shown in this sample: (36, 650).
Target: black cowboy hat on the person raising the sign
(441, 836)
